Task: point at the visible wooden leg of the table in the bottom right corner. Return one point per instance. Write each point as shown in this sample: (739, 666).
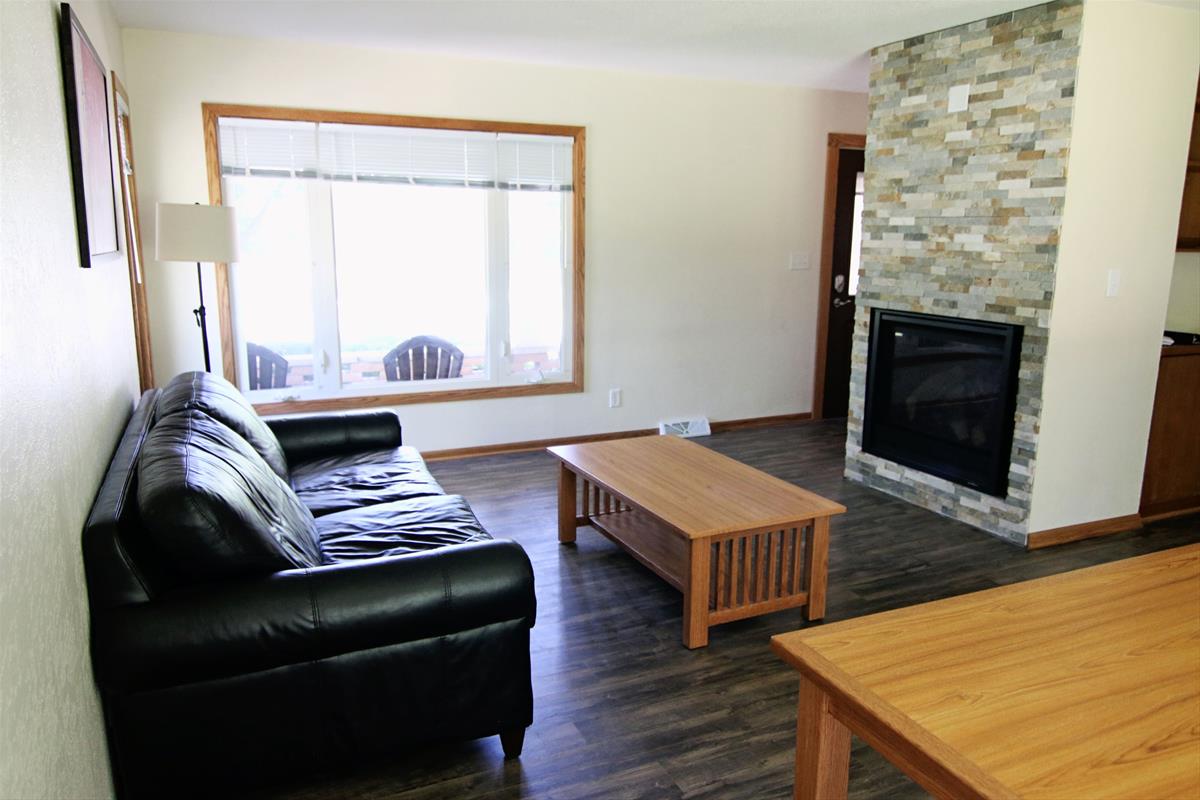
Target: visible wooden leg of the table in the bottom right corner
(823, 748)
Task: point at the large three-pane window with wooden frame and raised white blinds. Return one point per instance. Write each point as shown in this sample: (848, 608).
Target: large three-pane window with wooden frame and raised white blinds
(389, 260)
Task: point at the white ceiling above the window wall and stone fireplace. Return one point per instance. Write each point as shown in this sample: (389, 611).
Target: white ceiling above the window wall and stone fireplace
(802, 43)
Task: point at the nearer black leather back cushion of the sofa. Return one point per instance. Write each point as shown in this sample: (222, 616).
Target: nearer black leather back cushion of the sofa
(213, 507)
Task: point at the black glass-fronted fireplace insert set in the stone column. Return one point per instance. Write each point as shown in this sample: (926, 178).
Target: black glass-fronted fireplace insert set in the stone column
(941, 394)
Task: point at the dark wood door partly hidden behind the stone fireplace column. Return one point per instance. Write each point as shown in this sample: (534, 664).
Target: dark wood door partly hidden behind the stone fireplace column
(841, 303)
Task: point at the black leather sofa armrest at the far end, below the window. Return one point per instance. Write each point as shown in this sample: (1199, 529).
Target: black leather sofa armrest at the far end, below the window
(317, 436)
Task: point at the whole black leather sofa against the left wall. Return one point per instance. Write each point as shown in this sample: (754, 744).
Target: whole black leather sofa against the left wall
(274, 598)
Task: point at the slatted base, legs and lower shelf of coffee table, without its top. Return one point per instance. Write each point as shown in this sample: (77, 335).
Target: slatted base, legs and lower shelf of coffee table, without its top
(723, 578)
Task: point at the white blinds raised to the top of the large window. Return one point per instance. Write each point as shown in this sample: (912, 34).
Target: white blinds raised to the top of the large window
(386, 154)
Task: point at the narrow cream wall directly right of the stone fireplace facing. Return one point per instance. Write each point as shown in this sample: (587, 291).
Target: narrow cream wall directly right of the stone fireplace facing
(1133, 113)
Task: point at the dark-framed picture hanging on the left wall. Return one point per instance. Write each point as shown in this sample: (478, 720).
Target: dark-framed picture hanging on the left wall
(86, 91)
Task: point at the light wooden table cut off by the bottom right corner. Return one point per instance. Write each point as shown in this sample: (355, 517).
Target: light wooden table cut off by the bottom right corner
(1079, 687)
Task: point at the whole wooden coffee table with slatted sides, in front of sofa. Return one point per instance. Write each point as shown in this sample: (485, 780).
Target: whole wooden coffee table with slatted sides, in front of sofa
(737, 543)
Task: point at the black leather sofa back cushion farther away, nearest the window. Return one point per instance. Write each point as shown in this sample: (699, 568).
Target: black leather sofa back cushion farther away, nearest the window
(221, 400)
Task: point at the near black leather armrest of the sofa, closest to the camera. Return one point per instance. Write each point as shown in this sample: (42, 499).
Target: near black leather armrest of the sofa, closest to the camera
(302, 616)
